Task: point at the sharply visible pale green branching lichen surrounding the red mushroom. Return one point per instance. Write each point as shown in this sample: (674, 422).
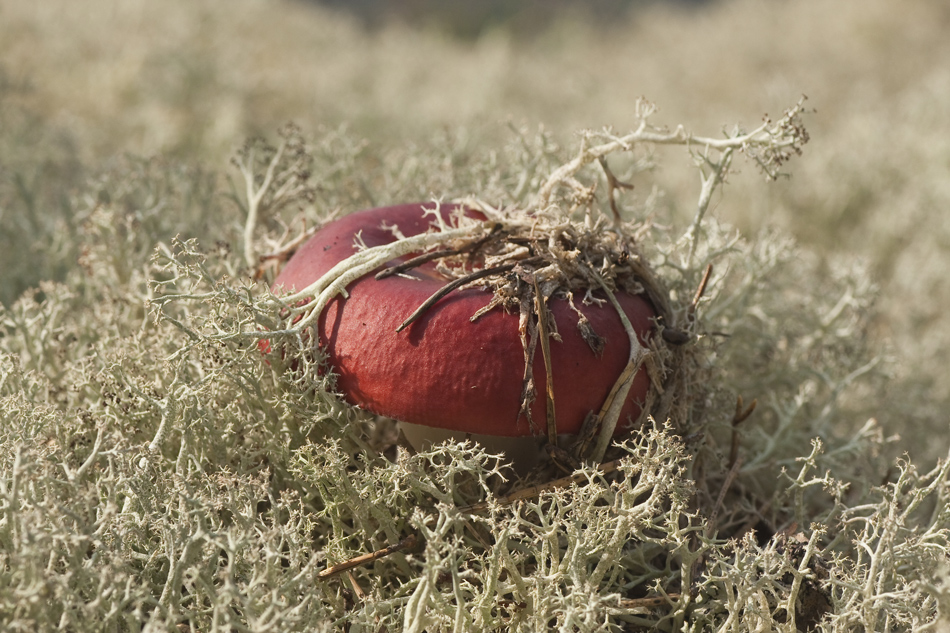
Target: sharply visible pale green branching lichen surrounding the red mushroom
(157, 474)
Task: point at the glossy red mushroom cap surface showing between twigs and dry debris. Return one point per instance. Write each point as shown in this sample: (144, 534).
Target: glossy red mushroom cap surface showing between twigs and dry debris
(443, 370)
